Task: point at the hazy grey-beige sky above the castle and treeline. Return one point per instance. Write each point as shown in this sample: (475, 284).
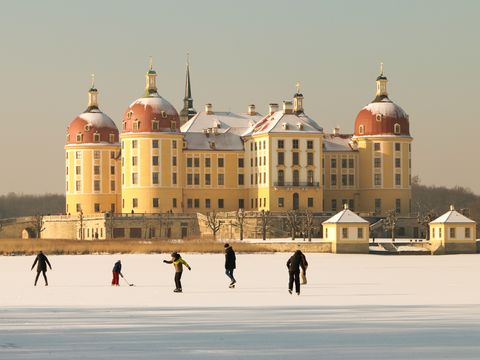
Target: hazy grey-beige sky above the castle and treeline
(241, 52)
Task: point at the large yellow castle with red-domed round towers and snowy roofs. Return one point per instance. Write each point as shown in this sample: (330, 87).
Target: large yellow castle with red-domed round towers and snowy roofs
(166, 162)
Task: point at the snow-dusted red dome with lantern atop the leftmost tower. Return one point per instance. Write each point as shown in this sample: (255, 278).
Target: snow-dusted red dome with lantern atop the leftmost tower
(92, 126)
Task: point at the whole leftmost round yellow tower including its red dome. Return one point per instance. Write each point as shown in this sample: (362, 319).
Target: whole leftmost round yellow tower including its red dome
(92, 161)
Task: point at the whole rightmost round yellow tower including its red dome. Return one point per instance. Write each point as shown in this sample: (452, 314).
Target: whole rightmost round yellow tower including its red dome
(382, 133)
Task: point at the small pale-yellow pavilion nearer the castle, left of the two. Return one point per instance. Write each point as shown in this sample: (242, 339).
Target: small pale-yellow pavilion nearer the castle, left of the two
(347, 232)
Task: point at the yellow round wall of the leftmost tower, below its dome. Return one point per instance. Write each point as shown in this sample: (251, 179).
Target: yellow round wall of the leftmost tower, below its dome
(92, 178)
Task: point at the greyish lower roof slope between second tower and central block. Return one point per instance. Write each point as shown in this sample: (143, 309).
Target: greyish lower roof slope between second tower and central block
(210, 141)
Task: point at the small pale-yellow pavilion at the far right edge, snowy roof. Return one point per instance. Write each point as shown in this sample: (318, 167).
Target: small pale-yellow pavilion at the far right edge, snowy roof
(453, 233)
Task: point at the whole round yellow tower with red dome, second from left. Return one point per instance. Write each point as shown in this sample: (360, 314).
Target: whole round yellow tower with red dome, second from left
(151, 152)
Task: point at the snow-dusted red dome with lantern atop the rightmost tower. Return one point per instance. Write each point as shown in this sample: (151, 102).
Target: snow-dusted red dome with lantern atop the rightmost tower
(382, 116)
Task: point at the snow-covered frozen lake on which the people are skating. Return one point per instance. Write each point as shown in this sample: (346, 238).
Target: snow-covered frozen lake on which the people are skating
(354, 307)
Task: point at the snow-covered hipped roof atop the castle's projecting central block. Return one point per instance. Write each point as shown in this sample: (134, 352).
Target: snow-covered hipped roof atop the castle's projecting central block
(281, 122)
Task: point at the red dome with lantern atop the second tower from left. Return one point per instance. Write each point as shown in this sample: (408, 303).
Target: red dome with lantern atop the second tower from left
(151, 113)
